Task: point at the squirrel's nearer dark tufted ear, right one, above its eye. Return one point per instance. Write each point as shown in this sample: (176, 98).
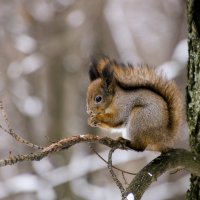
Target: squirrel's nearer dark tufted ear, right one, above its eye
(108, 77)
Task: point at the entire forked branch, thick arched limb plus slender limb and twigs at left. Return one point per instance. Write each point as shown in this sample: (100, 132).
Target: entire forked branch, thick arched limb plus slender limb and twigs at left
(173, 159)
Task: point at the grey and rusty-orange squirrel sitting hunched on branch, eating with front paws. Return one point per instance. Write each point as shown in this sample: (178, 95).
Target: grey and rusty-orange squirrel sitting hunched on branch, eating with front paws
(144, 106)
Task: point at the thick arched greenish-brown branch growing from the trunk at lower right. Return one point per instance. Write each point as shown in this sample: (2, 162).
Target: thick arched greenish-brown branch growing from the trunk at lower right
(173, 159)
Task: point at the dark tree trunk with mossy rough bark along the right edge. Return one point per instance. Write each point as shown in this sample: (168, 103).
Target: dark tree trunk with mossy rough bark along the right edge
(193, 89)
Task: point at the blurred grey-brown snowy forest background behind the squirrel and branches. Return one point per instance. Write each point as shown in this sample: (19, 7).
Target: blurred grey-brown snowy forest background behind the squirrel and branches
(44, 56)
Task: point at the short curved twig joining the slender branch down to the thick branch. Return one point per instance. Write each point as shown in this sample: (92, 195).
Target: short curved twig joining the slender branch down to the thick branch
(114, 176)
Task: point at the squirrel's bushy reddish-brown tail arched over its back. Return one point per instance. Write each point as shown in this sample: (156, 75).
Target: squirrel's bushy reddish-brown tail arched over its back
(147, 78)
